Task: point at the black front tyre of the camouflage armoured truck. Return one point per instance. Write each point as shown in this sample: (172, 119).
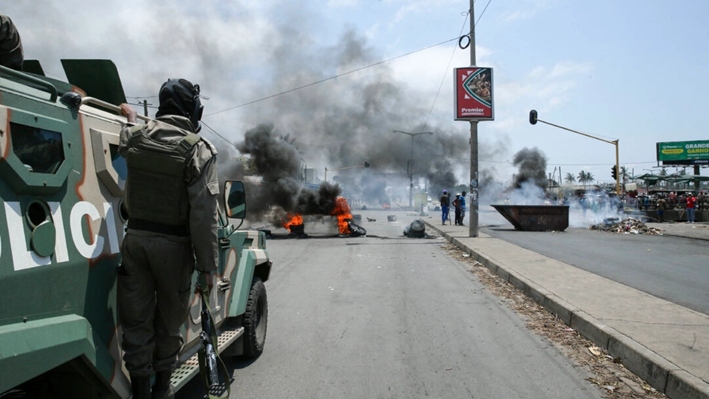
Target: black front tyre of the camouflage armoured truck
(255, 320)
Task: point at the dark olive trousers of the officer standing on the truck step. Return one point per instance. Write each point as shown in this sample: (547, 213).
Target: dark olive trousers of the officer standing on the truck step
(153, 295)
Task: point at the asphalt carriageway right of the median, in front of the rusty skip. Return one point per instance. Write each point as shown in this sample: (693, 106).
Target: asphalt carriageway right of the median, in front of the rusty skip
(672, 268)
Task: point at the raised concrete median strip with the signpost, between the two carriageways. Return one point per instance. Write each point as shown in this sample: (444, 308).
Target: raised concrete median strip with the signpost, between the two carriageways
(665, 344)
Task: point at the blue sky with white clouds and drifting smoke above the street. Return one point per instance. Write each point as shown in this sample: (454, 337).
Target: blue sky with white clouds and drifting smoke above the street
(336, 77)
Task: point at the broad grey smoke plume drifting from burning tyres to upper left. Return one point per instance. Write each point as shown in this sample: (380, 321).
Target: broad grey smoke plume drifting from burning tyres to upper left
(239, 56)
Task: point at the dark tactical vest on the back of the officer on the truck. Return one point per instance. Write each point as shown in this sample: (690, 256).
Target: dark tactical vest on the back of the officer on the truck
(156, 190)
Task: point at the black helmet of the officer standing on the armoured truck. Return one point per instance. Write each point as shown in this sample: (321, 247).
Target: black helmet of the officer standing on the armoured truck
(179, 96)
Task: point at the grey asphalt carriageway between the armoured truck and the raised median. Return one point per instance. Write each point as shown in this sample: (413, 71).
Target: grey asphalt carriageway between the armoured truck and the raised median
(385, 316)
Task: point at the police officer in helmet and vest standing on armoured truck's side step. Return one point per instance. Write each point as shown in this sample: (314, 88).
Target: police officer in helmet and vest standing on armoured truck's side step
(171, 198)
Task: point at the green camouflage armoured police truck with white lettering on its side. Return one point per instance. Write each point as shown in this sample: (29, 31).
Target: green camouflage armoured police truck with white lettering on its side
(62, 222)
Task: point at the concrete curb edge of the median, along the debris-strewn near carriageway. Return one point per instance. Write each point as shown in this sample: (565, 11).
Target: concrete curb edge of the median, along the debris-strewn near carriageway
(657, 371)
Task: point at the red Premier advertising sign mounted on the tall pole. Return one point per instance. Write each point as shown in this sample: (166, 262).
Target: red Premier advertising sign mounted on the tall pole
(473, 94)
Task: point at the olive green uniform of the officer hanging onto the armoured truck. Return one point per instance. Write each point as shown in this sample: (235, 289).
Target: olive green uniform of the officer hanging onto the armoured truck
(158, 262)
